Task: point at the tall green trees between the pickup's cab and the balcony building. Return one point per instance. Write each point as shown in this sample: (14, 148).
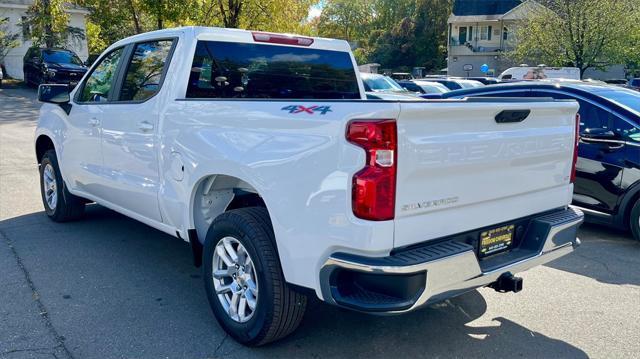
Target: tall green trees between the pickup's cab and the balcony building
(394, 33)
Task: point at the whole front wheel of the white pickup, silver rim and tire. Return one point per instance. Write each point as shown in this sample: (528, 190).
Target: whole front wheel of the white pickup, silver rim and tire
(59, 204)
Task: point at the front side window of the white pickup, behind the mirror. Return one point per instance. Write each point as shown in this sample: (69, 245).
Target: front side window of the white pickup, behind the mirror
(100, 83)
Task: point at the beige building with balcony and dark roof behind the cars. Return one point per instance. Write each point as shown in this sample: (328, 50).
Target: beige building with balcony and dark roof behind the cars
(481, 31)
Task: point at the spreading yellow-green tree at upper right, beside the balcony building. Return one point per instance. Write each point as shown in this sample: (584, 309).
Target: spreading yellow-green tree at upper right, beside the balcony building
(581, 33)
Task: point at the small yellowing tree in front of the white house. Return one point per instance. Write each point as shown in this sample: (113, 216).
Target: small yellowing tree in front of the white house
(49, 24)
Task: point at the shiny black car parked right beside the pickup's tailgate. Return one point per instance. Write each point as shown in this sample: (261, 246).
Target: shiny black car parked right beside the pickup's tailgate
(608, 176)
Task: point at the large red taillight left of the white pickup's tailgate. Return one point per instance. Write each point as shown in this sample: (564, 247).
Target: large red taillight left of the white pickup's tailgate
(374, 187)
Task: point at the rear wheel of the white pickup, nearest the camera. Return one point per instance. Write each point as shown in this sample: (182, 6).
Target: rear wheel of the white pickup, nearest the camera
(244, 281)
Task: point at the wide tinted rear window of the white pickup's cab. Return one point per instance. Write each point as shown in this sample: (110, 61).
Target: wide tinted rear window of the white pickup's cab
(245, 70)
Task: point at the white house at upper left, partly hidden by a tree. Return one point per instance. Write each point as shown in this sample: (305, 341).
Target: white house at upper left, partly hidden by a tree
(15, 11)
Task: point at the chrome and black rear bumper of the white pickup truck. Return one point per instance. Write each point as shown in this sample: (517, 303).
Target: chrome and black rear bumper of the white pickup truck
(433, 272)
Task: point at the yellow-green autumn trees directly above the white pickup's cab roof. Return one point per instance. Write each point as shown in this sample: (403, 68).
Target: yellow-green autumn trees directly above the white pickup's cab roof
(109, 21)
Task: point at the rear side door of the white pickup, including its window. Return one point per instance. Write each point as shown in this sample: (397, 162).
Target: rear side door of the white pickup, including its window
(130, 131)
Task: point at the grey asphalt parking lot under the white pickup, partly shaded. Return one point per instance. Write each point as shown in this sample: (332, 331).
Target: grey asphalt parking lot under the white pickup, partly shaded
(110, 287)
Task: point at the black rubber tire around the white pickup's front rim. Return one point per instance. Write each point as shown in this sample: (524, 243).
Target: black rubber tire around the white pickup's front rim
(68, 206)
